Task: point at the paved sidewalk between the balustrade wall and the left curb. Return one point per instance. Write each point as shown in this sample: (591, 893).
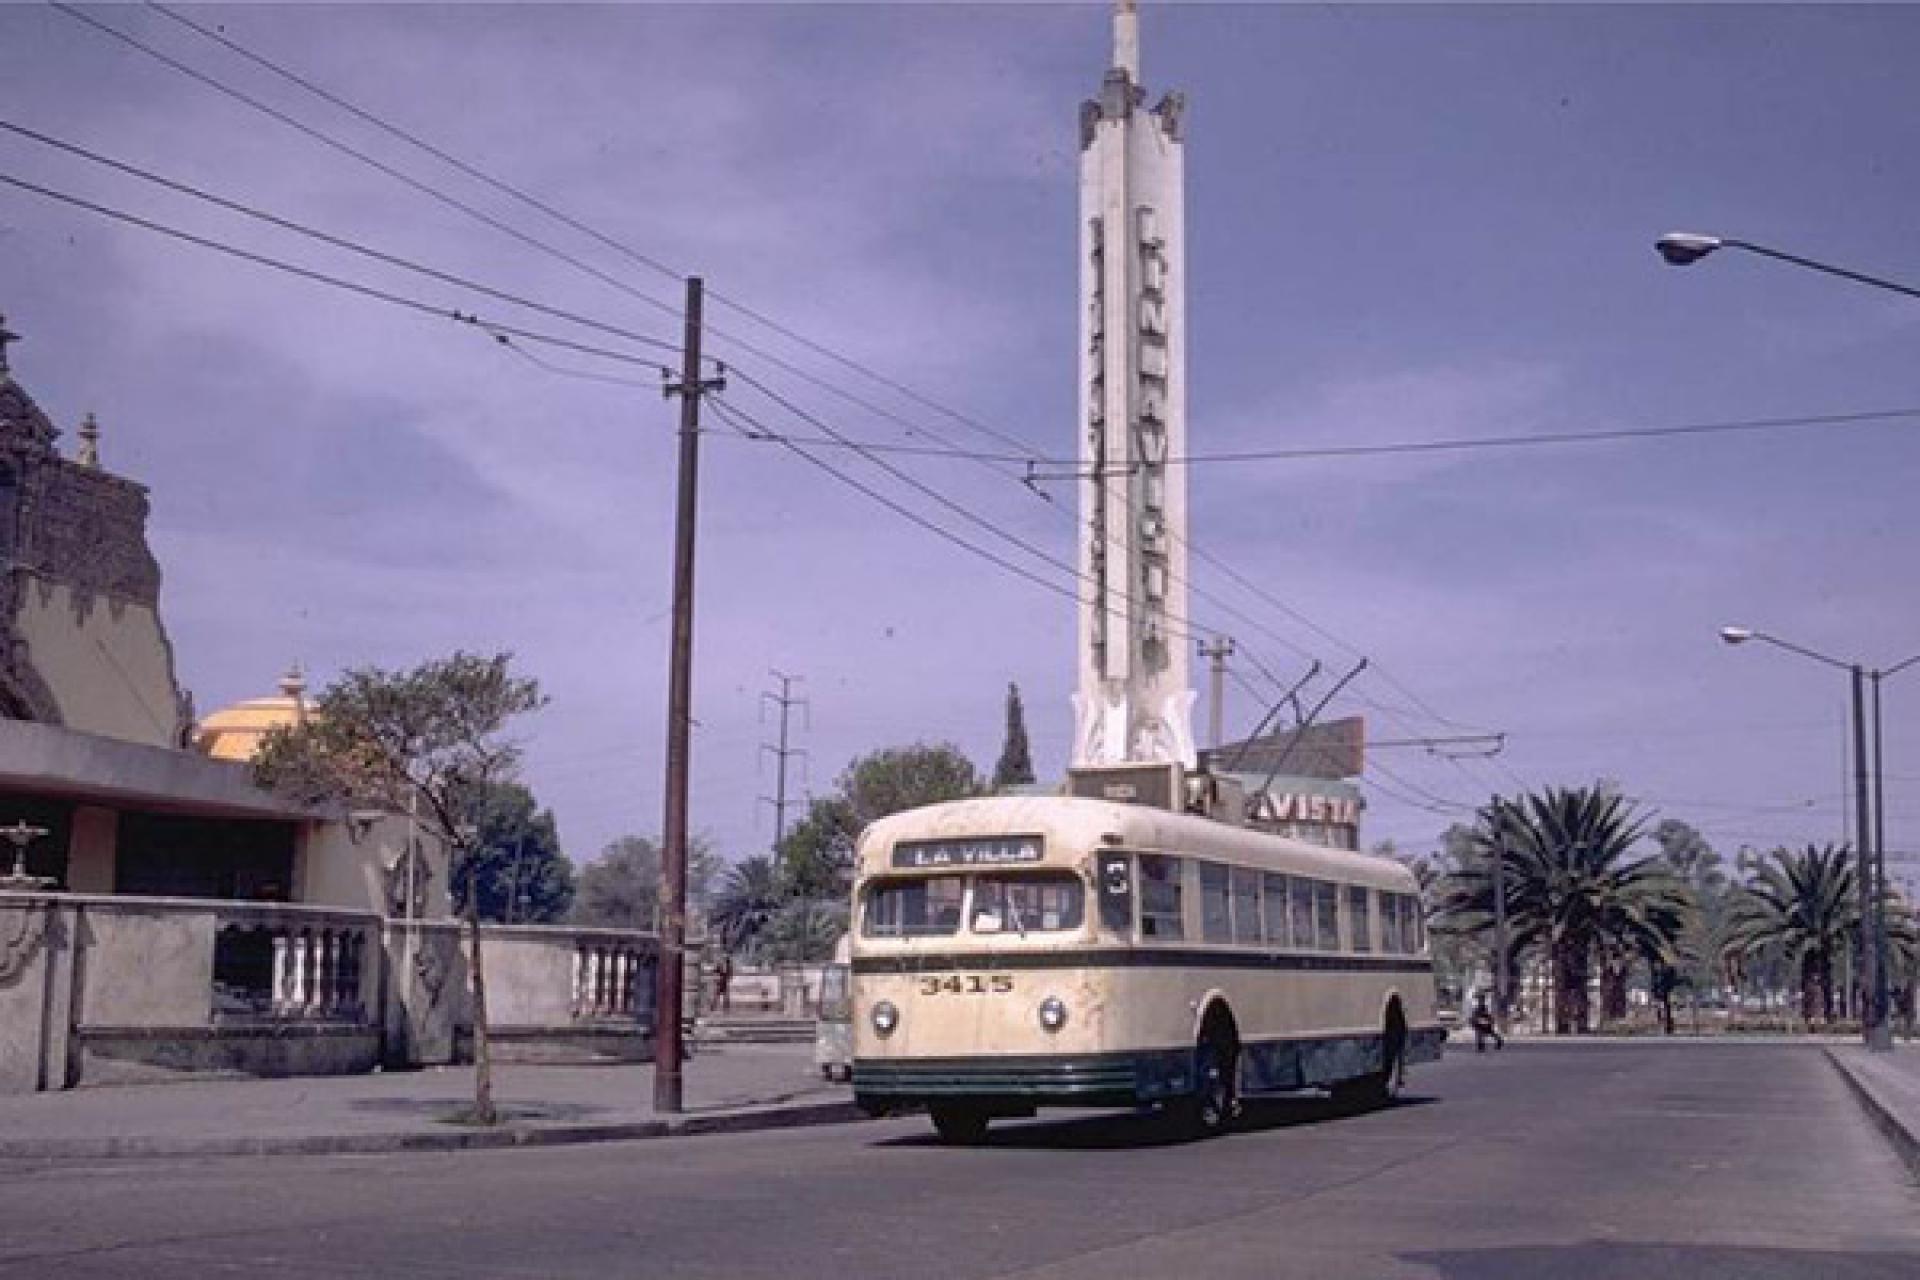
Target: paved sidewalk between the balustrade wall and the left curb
(729, 1089)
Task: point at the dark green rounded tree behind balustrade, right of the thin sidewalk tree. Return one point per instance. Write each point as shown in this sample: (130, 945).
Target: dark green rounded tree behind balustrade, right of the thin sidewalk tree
(516, 865)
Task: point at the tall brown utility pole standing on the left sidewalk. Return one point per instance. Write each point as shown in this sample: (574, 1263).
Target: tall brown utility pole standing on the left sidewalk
(671, 972)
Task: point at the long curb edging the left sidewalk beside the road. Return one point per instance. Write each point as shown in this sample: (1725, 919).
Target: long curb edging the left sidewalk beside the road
(437, 1139)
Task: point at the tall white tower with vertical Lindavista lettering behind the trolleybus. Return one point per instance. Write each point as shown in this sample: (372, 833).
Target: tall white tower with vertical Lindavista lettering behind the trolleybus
(1134, 701)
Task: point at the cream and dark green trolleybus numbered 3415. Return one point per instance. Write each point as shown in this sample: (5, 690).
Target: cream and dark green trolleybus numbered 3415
(1020, 953)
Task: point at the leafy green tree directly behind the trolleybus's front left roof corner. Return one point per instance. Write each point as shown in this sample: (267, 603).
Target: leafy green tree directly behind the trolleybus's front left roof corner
(817, 853)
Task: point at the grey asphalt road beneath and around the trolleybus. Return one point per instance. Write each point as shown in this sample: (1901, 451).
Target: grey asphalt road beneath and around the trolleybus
(1666, 1162)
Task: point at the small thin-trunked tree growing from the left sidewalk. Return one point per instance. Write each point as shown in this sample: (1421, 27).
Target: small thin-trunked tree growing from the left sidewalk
(429, 740)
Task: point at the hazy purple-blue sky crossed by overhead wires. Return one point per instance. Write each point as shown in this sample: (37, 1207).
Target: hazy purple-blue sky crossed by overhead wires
(1406, 224)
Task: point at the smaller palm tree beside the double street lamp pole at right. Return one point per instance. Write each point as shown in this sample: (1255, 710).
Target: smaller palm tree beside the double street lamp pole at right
(1802, 905)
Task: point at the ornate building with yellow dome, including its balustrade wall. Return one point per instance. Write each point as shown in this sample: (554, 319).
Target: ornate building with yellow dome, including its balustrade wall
(160, 914)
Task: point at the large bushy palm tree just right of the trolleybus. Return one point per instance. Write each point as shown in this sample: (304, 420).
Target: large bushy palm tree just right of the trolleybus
(1573, 891)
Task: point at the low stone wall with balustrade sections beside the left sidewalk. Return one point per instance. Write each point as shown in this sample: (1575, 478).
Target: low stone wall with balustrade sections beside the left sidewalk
(116, 989)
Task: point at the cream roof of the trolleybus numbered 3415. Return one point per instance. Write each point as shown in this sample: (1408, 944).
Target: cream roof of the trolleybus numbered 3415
(1082, 824)
